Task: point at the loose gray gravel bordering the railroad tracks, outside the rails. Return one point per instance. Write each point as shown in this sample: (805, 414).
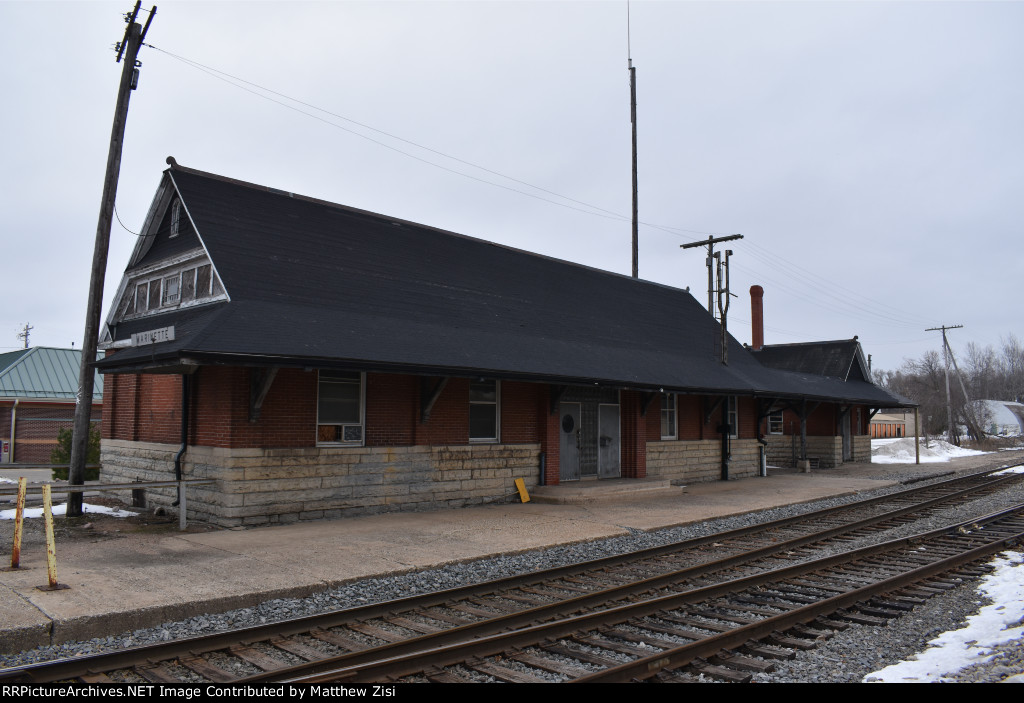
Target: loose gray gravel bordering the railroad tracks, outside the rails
(846, 657)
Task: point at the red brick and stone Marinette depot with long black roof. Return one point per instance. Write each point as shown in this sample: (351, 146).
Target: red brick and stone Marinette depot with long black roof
(318, 361)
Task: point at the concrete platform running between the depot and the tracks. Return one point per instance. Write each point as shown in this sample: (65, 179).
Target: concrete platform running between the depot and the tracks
(125, 581)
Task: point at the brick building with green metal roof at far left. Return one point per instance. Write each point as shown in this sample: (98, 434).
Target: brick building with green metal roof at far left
(37, 401)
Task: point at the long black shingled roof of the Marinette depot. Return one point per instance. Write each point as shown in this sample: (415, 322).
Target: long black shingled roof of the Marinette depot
(314, 284)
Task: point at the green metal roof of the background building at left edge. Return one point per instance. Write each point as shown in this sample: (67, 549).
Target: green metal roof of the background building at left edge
(44, 373)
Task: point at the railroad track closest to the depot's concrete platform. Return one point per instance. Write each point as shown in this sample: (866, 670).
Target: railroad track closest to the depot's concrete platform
(397, 629)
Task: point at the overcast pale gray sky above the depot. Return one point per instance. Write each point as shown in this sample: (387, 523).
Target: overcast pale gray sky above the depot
(872, 154)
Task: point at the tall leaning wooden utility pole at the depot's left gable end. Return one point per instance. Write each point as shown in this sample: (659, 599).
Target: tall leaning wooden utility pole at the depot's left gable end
(135, 34)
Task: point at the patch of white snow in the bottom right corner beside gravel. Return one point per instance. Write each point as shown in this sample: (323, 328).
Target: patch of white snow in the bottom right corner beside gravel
(994, 626)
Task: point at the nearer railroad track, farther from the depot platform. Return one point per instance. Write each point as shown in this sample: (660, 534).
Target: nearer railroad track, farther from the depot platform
(713, 630)
